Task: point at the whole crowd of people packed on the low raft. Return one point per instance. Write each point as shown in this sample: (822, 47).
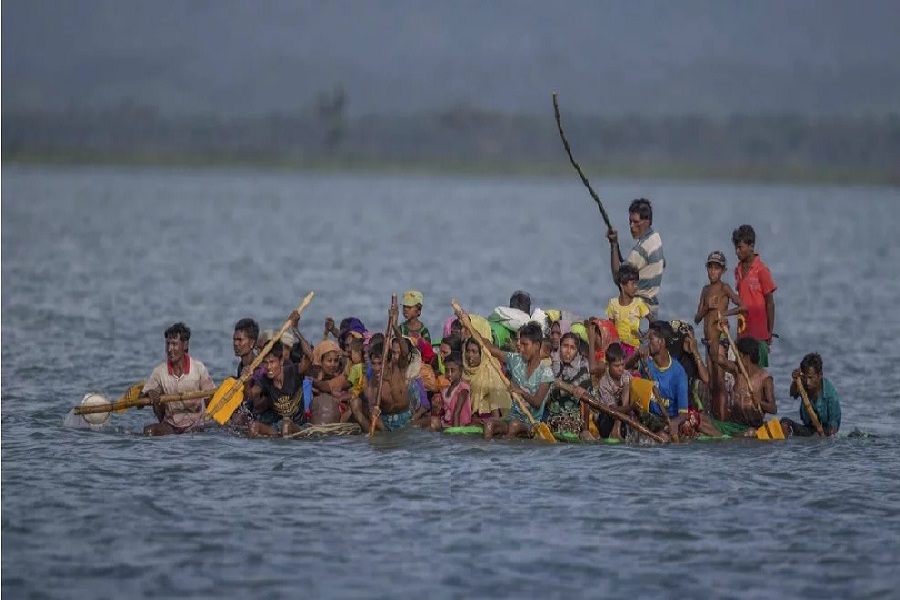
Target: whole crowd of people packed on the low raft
(500, 373)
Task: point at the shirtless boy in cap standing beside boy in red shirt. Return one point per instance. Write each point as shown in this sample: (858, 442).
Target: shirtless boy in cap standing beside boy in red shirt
(714, 300)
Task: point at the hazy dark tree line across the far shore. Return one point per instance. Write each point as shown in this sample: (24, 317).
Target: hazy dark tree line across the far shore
(835, 145)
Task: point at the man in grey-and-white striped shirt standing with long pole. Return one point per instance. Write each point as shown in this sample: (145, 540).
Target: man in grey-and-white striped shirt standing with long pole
(646, 256)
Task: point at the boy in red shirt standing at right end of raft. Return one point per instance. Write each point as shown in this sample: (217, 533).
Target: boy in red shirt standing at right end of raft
(756, 289)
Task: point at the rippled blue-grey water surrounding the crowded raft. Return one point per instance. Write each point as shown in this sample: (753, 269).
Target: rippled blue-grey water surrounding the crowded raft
(97, 262)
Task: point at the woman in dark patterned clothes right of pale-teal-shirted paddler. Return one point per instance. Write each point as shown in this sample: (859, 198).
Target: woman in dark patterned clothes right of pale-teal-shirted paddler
(564, 414)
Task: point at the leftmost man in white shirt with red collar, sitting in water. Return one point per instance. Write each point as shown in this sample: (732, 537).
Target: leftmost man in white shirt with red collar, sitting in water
(178, 373)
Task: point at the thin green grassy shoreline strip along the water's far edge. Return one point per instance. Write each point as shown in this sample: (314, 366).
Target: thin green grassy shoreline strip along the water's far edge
(675, 172)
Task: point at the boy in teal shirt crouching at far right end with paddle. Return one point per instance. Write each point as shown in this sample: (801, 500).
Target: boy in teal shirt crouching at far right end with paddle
(822, 396)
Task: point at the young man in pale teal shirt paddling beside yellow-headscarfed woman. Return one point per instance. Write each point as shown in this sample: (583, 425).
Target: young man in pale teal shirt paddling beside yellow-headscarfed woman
(530, 379)
